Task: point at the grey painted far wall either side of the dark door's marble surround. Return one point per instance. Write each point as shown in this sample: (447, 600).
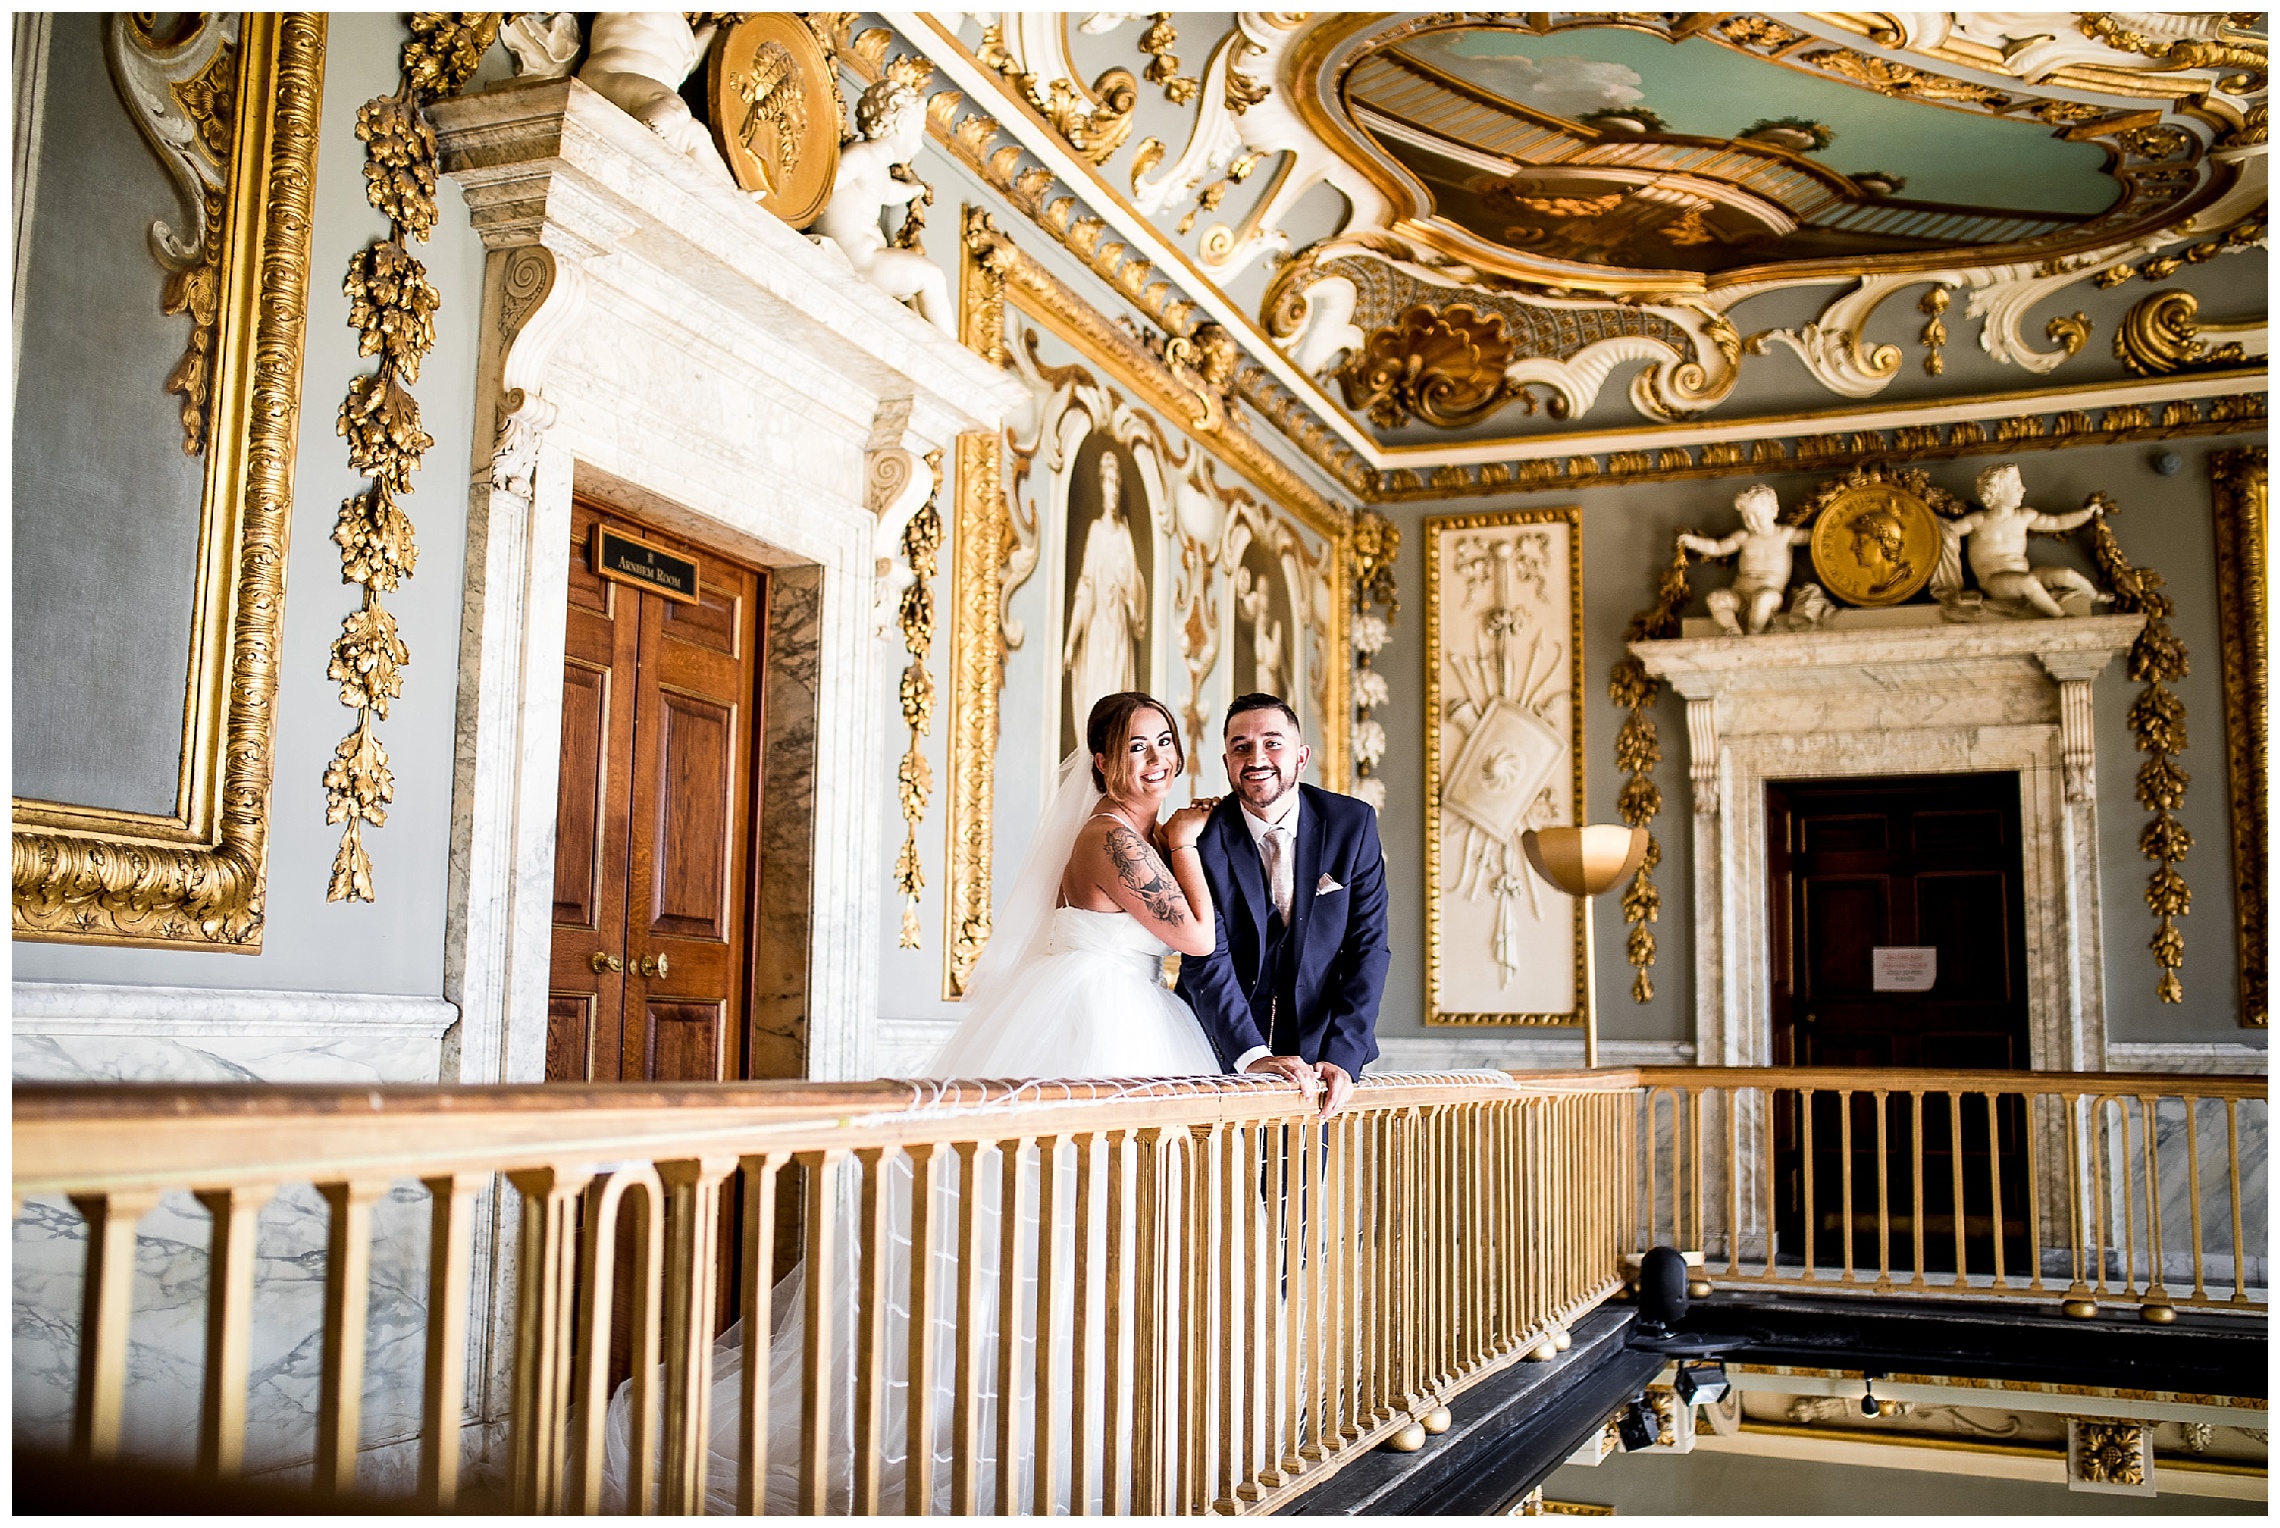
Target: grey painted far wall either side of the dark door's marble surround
(1629, 530)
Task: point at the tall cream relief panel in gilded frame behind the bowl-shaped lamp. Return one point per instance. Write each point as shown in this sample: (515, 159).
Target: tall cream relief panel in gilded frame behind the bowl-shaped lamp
(1504, 751)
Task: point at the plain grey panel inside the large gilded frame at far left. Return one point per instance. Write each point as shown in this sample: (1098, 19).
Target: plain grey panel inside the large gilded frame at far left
(106, 503)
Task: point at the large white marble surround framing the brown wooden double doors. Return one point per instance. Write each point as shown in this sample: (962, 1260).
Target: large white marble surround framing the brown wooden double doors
(658, 341)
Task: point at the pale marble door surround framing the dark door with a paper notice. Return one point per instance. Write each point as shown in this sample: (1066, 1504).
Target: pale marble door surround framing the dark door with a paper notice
(1896, 701)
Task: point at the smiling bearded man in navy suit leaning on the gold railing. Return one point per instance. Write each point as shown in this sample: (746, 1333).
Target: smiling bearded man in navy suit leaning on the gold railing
(1301, 886)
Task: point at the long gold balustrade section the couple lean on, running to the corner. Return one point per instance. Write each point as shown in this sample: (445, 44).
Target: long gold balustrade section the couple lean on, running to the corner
(1225, 1299)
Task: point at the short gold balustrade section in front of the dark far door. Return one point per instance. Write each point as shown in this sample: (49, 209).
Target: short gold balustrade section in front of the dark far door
(2078, 1189)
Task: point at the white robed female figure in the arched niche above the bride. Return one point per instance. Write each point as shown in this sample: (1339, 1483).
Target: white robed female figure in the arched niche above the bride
(1107, 617)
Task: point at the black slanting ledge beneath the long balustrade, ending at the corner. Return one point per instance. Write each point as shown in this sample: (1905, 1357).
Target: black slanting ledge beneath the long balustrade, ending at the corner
(1506, 1436)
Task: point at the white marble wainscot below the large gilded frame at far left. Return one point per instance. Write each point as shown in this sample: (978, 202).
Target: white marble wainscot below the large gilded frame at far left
(76, 1032)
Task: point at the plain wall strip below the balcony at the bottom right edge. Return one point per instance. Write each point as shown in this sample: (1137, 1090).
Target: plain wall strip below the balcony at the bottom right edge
(1743, 1486)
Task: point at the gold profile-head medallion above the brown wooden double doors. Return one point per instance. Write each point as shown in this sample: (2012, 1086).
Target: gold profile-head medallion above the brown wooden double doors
(776, 113)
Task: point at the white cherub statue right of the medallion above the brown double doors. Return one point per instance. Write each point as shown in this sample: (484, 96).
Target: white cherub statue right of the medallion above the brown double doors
(890, 122)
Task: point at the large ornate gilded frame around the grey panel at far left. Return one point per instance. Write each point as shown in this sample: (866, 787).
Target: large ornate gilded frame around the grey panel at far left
(195, 879)
